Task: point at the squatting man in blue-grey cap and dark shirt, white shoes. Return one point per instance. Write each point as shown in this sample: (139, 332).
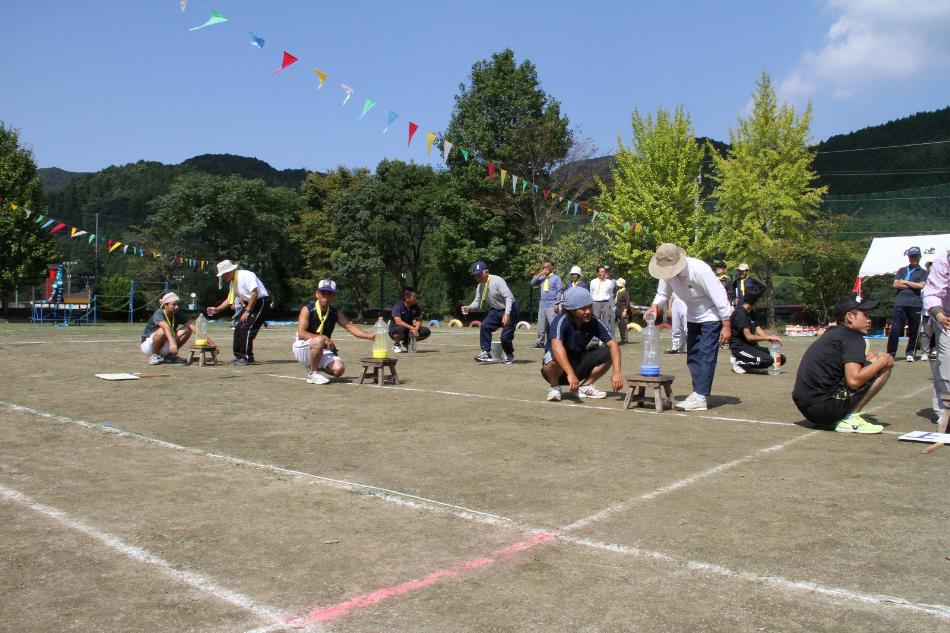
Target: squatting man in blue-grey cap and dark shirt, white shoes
(567, 359)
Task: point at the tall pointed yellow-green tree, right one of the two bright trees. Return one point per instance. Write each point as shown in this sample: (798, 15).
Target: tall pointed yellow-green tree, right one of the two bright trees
(765, 196)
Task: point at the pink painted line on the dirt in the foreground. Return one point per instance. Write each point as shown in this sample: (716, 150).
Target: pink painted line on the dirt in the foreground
(337, 611)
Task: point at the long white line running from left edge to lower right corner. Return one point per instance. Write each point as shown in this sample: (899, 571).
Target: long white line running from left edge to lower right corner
(413, 501)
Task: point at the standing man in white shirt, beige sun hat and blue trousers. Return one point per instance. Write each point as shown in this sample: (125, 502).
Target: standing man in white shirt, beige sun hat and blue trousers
(707, 315)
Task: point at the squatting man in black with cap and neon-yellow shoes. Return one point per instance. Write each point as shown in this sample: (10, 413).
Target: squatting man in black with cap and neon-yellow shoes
(837, 377)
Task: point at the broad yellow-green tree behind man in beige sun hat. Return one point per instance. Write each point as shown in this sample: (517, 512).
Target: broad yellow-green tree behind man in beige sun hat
(655, 191)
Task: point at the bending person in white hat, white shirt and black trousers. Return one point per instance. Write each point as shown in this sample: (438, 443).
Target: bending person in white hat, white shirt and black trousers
(251, 303)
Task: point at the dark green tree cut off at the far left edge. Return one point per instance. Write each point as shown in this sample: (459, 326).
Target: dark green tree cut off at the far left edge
(25, 249)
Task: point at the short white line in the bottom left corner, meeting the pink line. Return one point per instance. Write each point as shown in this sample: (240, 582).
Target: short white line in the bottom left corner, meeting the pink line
(197, 581)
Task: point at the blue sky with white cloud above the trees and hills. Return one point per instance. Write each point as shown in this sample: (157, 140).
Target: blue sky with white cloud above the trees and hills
(91, 84)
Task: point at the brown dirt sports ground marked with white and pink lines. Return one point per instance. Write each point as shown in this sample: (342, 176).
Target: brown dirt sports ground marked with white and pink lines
(244, 499)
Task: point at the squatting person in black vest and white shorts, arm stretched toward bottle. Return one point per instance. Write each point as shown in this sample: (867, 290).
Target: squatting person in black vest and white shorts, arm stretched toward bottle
(313, 345)
